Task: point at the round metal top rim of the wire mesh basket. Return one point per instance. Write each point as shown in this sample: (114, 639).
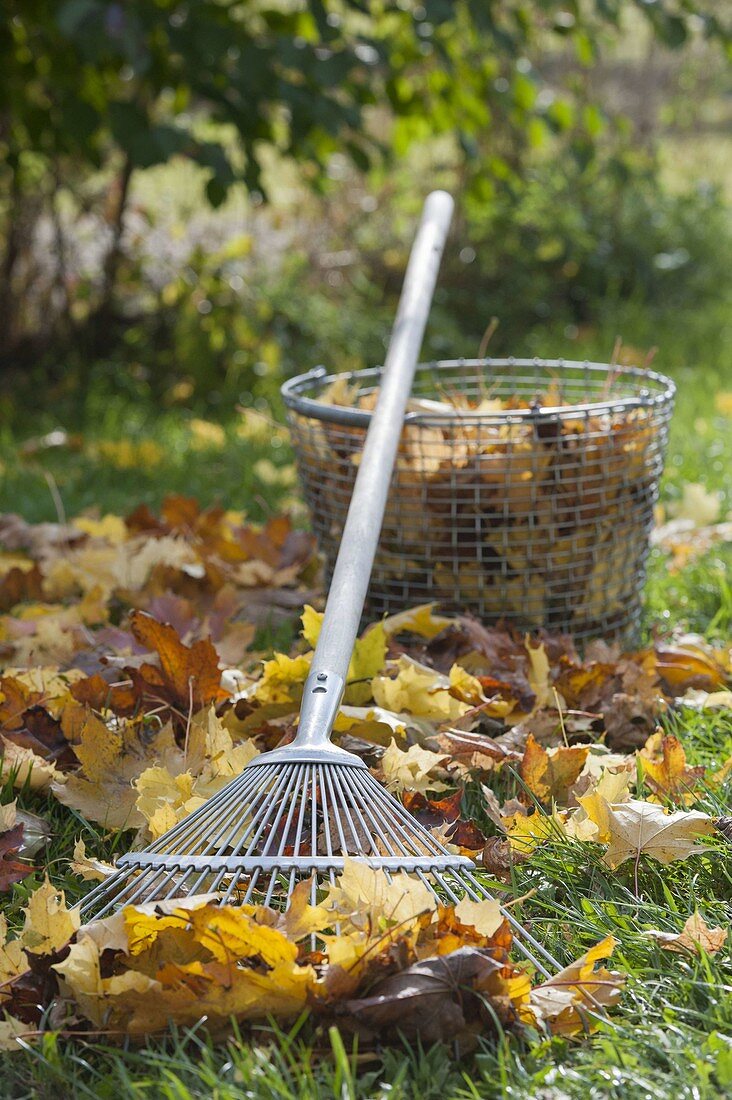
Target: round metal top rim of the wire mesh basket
(294, 393)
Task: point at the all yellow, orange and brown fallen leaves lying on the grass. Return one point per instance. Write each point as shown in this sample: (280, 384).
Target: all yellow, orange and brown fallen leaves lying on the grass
(133, 691)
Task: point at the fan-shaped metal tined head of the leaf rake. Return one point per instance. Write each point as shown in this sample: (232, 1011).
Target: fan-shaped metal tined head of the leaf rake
(280, 823)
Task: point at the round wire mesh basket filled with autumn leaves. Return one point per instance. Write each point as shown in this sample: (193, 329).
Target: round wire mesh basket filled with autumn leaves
(523, 491)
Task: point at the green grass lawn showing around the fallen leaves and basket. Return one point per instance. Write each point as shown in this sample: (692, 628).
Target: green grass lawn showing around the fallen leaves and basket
(672, 1036)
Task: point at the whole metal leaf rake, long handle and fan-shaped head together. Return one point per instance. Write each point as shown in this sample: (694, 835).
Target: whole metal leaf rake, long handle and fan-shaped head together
(299, 812)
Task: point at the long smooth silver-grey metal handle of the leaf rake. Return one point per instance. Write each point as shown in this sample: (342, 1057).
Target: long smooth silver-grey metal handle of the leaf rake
(324, 688)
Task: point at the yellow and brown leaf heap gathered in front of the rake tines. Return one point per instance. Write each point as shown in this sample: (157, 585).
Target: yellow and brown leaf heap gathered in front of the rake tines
(398, 961)
